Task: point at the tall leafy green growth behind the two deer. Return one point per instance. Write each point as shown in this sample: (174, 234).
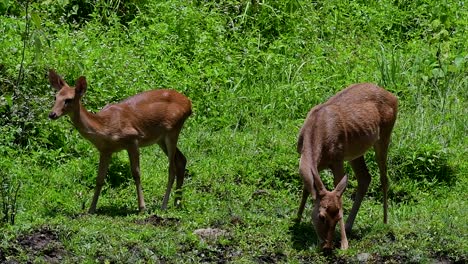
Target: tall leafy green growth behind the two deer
(243, 63)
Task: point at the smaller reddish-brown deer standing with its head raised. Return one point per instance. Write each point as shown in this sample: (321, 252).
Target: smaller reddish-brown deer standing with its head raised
(155, 116)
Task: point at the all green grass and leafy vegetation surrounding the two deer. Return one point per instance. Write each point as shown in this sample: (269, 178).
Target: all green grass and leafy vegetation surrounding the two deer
(252, 69)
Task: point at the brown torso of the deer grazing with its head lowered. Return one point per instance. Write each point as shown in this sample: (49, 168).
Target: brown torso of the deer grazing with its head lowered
(348, 124)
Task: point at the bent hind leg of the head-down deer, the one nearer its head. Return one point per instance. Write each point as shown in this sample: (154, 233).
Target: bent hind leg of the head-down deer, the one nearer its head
(363, 178)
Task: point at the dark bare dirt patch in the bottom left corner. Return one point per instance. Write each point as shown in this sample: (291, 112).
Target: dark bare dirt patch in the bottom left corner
(45, 243)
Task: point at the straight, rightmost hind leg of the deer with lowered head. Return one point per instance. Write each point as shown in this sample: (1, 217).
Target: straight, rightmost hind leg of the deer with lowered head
(381, 150)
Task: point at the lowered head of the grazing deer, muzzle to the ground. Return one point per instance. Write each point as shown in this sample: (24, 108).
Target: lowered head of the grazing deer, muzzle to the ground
(328, 210)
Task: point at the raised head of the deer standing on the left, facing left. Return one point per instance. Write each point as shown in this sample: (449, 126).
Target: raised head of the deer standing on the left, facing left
(67, 98)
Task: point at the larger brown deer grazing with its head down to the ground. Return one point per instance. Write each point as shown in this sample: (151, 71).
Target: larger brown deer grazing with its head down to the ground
(344, 128)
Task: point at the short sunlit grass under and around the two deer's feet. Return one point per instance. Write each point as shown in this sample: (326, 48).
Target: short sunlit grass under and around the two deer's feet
(260, 224)
